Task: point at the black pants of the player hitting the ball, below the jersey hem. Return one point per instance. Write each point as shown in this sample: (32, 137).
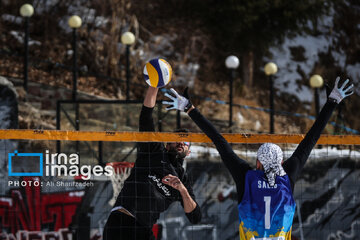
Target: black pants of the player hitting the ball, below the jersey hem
(120, 226)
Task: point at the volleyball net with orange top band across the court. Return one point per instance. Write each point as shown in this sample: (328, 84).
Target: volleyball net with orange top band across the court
(38, 202)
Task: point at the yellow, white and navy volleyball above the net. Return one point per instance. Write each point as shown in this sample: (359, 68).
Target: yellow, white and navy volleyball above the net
(157, 72)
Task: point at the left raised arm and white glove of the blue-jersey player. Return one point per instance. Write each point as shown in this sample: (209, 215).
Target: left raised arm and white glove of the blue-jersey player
(237, 166)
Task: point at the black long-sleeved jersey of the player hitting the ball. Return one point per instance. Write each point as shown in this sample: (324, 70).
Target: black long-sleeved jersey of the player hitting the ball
(143, 194)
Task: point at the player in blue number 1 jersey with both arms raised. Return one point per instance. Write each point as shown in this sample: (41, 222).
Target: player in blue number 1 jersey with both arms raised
(265, 195)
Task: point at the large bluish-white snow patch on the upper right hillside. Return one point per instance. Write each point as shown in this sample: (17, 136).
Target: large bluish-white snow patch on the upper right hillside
(288, 76)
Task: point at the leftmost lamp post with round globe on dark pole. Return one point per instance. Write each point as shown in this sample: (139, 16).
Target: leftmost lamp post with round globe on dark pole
(26, 11)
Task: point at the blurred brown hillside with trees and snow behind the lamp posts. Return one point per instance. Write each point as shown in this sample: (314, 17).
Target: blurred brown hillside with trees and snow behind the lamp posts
(185, 34)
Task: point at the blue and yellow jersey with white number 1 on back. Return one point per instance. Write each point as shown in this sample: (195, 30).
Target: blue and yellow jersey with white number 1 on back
(266, 212)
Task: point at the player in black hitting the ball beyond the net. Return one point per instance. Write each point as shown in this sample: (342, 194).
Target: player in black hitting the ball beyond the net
(156, 181)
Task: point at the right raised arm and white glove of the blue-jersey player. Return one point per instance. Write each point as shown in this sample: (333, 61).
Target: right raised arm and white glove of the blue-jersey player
(296, 162)
